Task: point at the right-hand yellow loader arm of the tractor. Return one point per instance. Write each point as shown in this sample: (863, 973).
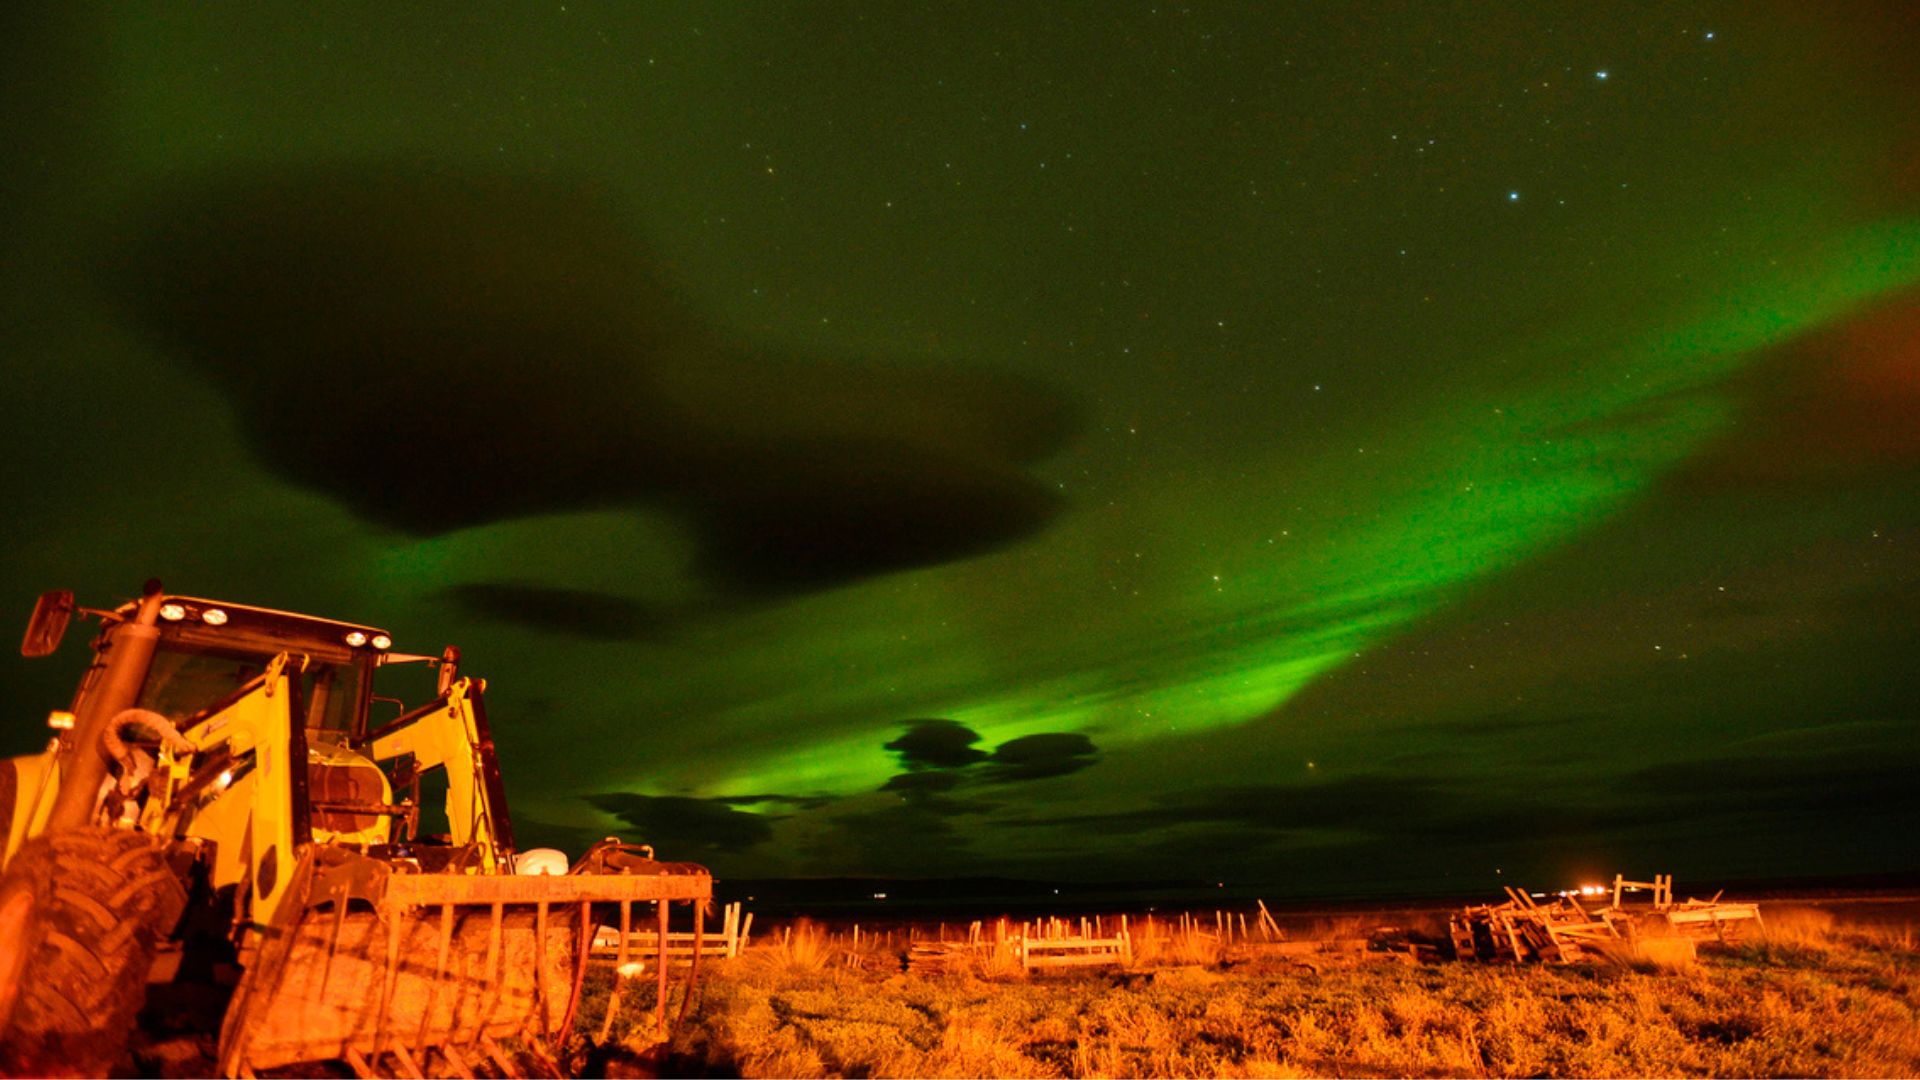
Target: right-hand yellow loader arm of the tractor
(452, 733)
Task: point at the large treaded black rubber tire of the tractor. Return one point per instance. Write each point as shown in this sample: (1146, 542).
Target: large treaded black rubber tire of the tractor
(89, 908)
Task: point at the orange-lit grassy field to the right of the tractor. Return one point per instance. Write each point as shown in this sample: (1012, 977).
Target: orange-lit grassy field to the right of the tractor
(1806, 998)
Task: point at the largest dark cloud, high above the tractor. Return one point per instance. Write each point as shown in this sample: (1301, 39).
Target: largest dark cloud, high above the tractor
(441, 349)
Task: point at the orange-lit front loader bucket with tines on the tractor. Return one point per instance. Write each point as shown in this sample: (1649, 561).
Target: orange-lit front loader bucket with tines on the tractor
(410, 971)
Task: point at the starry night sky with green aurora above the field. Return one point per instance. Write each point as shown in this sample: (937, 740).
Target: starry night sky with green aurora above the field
(1341, 447)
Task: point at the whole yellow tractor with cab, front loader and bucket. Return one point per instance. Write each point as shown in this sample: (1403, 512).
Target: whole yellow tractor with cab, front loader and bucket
(222, 804)
